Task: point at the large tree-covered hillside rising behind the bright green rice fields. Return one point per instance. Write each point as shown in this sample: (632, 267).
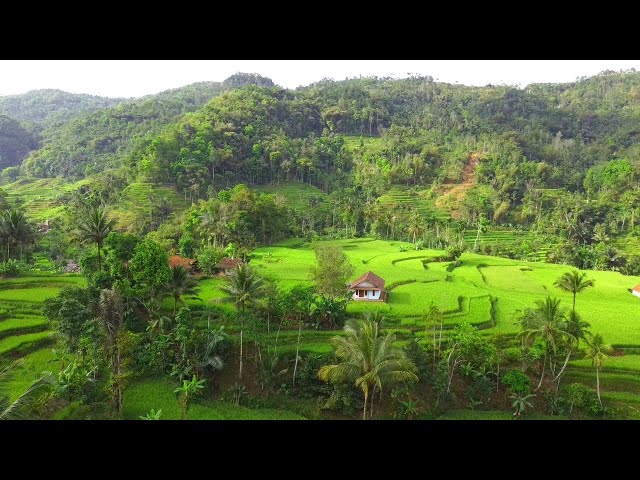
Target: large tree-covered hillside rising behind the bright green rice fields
(392, 158)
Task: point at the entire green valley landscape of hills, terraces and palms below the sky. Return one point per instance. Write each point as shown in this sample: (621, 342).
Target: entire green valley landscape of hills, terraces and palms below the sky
(370, 248)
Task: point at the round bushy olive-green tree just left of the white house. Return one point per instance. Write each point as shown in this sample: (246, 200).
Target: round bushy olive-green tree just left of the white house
(332, 271)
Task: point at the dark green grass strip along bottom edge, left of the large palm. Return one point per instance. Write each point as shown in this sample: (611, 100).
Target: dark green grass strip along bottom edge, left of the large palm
(142, 396)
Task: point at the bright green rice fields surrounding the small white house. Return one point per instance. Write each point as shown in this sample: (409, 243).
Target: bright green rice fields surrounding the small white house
(609, 306)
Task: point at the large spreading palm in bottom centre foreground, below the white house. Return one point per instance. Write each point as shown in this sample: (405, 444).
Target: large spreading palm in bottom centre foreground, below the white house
(368, 359)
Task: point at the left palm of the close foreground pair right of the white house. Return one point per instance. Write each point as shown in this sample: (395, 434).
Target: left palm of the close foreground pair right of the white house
(547, 322)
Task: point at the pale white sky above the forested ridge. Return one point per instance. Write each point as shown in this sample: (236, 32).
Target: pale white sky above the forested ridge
(134, 78)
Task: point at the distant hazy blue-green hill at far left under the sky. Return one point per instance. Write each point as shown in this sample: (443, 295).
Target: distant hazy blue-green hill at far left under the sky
(38, 109)
